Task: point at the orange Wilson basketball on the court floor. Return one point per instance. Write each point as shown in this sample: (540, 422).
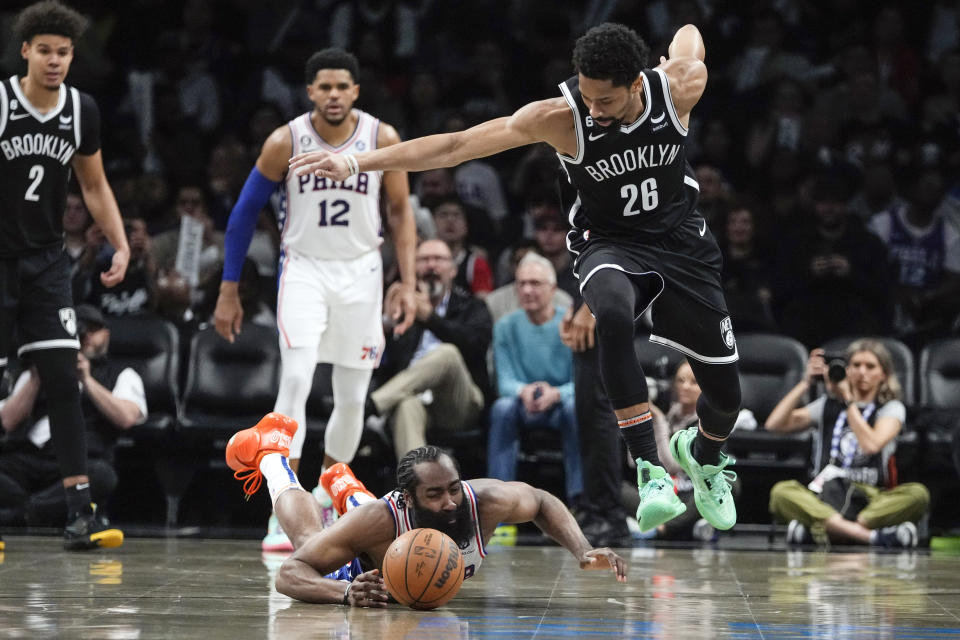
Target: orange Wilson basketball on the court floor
(423, 569)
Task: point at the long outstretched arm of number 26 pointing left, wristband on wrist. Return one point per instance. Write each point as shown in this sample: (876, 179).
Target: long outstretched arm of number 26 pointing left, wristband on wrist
(544, 121)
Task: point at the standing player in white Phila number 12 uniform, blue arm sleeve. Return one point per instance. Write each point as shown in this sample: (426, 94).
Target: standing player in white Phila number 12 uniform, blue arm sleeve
(329, 304)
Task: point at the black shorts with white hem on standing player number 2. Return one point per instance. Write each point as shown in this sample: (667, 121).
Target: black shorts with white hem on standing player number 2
(36, 303)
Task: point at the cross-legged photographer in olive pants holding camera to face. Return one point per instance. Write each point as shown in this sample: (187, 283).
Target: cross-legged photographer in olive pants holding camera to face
(855, 424)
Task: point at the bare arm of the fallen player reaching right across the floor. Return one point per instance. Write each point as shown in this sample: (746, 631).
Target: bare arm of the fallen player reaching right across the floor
(514, 502)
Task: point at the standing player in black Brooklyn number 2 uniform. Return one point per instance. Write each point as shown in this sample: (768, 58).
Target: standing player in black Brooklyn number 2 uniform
(47, 130)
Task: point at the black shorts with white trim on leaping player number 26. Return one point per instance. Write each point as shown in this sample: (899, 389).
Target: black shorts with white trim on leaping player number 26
(678, 278)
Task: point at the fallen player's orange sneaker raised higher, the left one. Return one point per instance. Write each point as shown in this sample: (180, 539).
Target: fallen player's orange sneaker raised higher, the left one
(245, 448)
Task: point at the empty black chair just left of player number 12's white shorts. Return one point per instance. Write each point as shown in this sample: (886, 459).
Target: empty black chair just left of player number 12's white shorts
(229, 386)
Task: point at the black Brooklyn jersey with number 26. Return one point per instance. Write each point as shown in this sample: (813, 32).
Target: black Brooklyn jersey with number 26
(633, 184)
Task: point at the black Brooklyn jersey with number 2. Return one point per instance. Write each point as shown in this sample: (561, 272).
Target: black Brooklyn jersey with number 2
(35, 154)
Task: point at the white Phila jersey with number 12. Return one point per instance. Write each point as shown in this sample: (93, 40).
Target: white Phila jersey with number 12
(326, 219)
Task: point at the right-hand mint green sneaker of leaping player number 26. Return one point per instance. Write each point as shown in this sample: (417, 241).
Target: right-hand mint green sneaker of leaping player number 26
(711, 483)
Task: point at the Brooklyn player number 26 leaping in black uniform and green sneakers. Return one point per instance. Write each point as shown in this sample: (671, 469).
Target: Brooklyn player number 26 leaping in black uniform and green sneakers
(637, 240)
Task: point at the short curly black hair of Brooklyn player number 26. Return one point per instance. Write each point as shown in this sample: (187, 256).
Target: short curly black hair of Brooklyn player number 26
(611, 52)
